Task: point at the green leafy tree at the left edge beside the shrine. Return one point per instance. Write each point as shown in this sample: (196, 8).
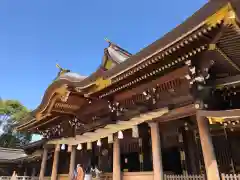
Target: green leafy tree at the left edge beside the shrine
(12, 113)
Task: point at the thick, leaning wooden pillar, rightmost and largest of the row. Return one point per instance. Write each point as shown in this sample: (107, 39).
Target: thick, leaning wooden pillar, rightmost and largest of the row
(208, 149)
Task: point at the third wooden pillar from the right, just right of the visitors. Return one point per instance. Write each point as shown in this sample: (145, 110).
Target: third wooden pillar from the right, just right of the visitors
(116, 159)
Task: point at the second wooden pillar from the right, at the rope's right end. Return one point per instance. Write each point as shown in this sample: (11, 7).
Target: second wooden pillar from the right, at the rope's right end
(156, 152)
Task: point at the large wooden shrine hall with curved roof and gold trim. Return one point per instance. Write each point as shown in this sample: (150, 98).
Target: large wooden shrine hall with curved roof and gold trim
(172, 110)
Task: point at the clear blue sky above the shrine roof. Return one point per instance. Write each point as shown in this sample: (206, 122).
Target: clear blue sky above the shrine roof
(35, 35)
